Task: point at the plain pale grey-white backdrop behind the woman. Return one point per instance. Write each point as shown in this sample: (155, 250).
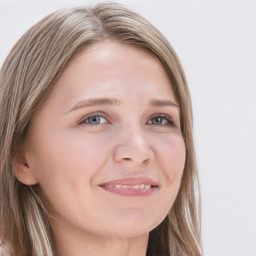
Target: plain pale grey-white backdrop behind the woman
(215, 41)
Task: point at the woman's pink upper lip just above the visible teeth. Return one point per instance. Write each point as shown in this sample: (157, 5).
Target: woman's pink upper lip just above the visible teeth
(132, 181)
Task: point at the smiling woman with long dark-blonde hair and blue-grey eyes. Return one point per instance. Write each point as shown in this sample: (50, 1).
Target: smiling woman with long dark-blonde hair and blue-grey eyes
(97, 153)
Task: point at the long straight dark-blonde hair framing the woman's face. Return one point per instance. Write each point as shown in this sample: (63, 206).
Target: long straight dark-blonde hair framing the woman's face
(26, 77)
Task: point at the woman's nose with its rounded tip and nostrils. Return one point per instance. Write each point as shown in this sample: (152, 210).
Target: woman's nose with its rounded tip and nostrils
(134, 149)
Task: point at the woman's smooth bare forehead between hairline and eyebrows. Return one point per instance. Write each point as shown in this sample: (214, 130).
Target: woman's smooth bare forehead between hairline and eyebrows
(108, 68)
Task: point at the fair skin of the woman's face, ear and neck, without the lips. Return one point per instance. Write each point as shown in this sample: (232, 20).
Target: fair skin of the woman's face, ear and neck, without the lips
(70, 154)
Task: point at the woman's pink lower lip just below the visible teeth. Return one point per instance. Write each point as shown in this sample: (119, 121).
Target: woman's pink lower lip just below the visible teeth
(130, 191)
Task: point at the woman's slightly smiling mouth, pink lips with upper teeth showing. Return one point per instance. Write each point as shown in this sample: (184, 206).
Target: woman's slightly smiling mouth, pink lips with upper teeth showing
(141, 186)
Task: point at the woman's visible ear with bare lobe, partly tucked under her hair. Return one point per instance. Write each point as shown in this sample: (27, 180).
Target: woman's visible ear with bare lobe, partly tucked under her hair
(22, 170)
